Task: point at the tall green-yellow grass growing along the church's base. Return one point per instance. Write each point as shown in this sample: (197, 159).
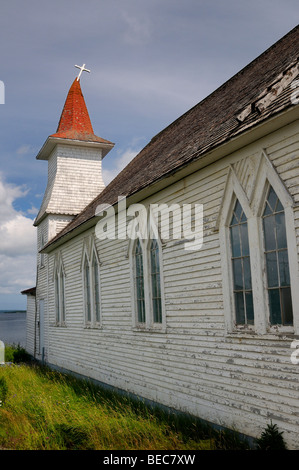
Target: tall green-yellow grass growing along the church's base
(41, 409)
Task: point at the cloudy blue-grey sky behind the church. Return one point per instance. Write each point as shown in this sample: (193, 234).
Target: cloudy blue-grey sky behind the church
(150, 62)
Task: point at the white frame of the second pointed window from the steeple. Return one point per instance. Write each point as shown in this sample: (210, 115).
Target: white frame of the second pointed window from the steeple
(89, 254)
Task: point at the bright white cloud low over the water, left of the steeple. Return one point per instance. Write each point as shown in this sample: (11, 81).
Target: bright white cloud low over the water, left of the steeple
(18, 242)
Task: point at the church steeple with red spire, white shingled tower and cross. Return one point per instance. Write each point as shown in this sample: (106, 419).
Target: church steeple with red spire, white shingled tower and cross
(74, 154)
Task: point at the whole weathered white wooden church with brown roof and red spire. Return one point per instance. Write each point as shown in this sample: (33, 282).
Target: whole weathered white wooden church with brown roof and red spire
(209, 328)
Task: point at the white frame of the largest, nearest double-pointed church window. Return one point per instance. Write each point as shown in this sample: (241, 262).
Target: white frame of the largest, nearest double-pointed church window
(253, 208)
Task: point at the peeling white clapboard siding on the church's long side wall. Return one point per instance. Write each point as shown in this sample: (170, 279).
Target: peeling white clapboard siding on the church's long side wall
(240, 380)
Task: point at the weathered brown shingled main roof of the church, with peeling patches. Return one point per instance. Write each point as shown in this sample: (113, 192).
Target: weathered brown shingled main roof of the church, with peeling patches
(257, 93)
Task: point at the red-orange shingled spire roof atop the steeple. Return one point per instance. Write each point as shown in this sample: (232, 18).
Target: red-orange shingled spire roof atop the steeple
(74, 122)
